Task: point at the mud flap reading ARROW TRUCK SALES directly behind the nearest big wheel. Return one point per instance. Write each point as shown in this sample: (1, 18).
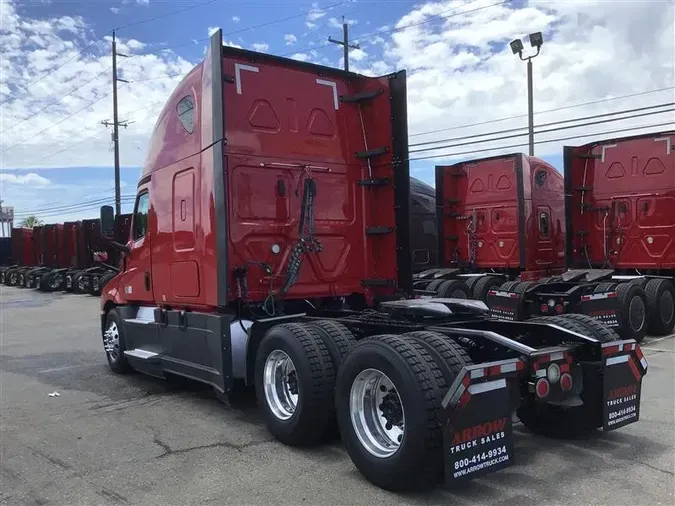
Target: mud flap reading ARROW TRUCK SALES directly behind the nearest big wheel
(478, 435)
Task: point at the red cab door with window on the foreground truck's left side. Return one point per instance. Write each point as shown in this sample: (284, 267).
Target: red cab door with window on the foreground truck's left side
(137, 282)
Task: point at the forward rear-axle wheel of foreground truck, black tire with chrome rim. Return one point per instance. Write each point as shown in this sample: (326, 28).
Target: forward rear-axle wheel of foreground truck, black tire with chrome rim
(294, 384)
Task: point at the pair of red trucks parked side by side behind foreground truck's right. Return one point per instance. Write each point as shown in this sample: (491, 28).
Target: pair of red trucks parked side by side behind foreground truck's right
(511, 231)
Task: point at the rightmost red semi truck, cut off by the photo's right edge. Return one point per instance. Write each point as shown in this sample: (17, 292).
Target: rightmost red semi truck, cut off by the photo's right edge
(619, 197)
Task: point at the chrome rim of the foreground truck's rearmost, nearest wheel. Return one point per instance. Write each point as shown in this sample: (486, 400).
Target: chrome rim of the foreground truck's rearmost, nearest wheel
(377, 413)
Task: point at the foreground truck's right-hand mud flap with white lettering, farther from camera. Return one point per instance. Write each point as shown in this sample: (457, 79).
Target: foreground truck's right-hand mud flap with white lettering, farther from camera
(624, 367)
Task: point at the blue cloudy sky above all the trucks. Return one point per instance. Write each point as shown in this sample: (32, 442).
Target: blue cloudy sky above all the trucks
(56, 158)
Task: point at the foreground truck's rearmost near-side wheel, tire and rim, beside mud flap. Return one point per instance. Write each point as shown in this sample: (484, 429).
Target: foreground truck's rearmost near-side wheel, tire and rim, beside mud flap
(405, 376)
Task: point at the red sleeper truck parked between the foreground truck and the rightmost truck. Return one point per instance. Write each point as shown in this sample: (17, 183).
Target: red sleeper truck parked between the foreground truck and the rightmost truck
(499, 218)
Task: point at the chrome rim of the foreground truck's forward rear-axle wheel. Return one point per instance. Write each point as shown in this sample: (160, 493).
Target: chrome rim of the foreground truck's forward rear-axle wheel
(280, 382)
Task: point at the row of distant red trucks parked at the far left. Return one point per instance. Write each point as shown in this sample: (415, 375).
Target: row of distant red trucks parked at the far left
(66, 256)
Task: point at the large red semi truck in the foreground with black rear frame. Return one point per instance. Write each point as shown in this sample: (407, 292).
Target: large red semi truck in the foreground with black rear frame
(270, 248)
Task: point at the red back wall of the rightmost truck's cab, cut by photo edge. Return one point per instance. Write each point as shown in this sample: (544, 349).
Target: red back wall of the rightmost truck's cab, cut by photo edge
(621, 196)
